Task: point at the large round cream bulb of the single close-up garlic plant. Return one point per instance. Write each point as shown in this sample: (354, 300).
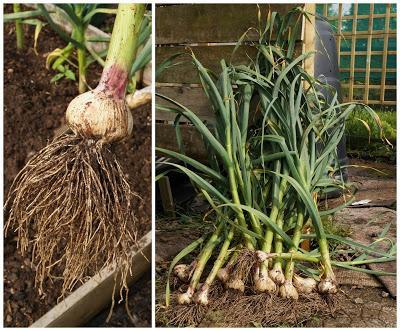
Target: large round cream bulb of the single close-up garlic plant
(98, 116)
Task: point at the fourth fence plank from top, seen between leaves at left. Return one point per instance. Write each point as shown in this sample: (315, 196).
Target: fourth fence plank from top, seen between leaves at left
(192, 141)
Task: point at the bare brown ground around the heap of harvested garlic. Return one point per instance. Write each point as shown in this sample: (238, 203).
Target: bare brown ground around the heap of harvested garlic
(367, 301)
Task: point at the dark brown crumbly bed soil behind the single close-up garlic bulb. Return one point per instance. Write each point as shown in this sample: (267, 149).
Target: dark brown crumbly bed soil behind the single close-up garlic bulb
(33, 112)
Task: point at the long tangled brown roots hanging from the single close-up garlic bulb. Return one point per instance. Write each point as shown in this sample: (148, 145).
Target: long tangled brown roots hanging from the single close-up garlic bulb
(72, 203)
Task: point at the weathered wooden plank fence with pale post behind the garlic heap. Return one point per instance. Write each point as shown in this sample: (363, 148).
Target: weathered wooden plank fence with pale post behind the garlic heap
(211, 32)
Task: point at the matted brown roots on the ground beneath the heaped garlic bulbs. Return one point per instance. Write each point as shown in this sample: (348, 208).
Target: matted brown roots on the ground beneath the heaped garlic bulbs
(232, 308)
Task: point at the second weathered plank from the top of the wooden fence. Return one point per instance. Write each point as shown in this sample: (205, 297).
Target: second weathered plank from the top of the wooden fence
(209, 56)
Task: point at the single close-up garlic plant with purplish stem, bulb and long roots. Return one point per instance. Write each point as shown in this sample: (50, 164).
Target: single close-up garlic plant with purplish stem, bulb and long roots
(72, 201)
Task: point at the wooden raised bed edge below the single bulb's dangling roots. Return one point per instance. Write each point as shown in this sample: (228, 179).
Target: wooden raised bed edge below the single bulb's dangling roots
(94, 295)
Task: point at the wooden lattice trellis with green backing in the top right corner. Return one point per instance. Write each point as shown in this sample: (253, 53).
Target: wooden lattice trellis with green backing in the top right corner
(382, 92)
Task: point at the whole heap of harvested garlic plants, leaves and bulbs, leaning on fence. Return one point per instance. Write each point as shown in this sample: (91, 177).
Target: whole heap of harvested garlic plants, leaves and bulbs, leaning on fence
(267, 169)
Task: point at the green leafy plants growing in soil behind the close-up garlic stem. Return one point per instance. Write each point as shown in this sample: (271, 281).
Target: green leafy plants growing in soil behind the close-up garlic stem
(79, 54)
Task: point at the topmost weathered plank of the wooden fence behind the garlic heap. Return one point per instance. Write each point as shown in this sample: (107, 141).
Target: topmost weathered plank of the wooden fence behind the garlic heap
(197, 23)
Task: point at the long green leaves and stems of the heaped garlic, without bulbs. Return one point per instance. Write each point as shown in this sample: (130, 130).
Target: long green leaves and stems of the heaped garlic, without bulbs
(267, 165)
